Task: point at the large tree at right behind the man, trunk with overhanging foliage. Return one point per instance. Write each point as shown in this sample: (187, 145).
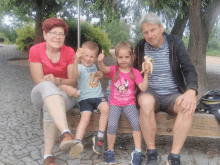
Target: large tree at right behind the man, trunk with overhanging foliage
(201, 15)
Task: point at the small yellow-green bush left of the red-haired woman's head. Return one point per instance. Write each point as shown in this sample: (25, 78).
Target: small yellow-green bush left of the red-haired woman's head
(25, 37)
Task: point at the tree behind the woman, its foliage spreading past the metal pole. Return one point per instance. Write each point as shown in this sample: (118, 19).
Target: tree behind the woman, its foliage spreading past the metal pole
(38, 10)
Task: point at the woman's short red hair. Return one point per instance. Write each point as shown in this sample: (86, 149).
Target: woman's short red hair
(50, 23)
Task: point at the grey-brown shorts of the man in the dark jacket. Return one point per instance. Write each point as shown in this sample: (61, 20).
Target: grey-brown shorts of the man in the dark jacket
(163, 102)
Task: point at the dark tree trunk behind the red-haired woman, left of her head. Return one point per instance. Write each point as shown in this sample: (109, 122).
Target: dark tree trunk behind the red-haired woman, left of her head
(38, 28)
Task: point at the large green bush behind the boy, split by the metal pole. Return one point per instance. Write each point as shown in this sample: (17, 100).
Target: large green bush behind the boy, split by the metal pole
(88, 33)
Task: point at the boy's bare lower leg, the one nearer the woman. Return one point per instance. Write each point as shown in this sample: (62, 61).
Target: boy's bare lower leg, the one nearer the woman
(84, 122)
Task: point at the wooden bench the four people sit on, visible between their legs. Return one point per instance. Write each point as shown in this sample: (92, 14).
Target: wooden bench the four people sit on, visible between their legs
(204, 125)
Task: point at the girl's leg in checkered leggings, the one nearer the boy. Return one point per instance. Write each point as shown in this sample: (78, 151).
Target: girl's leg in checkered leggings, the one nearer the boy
(114, 115)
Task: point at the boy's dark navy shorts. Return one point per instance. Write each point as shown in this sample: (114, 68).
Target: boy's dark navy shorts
(90, 104)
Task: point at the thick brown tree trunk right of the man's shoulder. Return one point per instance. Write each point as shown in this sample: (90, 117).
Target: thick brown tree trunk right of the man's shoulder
(198, 43)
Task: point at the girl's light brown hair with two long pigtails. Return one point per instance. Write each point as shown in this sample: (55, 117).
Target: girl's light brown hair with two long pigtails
(128, 46)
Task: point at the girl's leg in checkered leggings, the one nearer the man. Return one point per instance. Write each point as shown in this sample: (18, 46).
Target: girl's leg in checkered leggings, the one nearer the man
(133, 116)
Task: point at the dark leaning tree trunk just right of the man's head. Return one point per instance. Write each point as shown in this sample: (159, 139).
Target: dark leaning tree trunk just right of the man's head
(179, 25)
